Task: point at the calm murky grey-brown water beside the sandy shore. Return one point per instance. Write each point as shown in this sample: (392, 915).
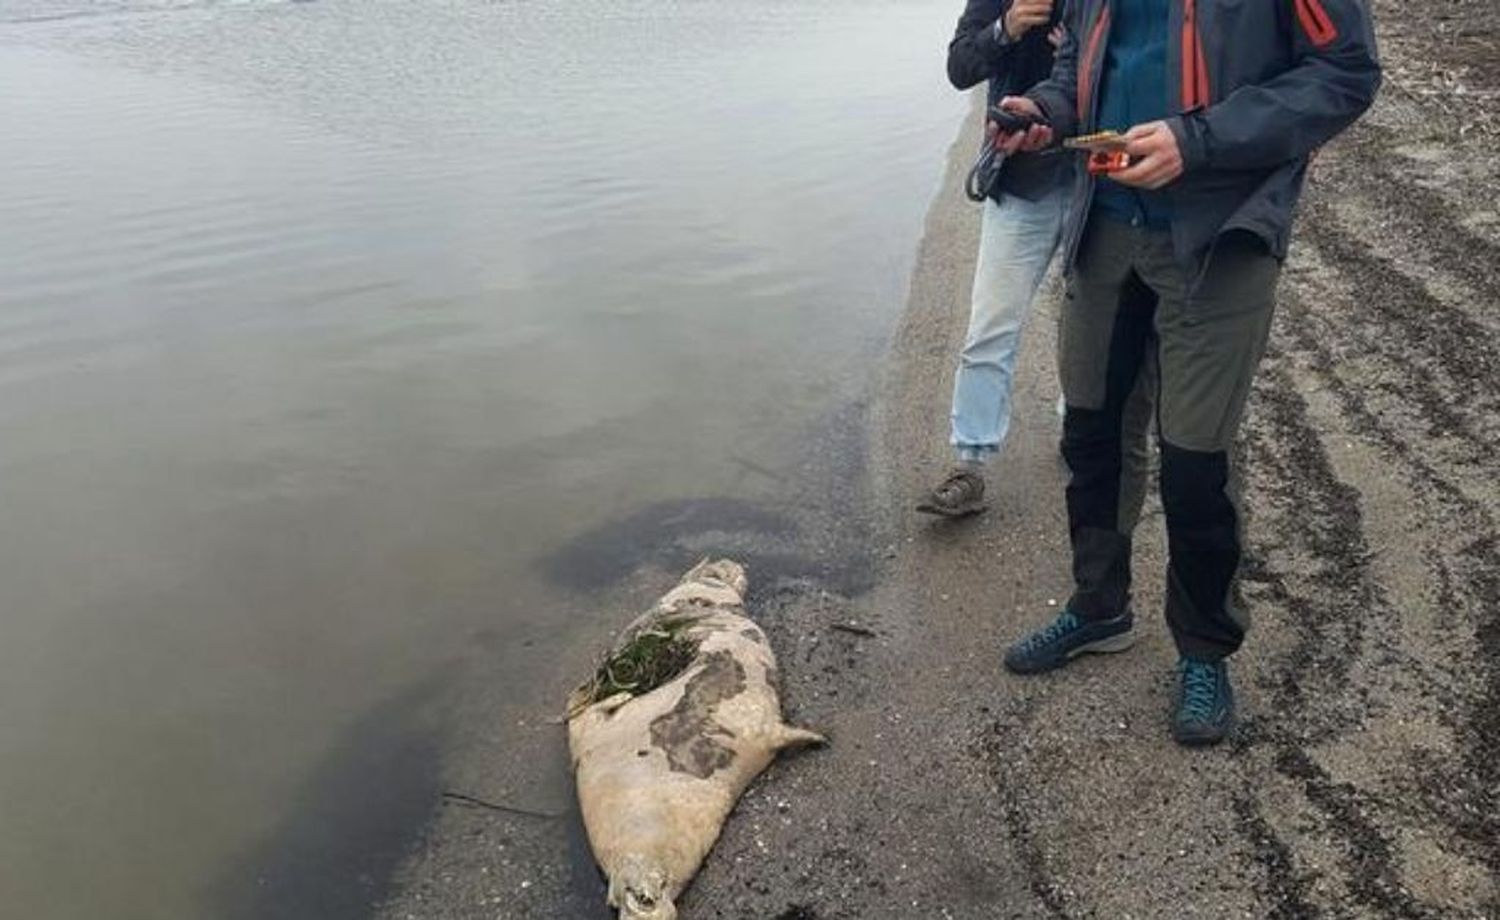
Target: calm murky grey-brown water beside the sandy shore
(323, 323)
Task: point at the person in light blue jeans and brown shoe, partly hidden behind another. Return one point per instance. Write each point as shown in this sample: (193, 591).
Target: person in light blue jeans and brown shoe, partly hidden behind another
(1010, 44)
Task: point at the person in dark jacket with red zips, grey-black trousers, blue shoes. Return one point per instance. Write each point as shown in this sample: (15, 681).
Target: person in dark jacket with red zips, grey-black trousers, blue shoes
(1222, 103)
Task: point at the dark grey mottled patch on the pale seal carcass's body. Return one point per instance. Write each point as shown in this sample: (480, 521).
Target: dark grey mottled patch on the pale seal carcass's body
(688, 733)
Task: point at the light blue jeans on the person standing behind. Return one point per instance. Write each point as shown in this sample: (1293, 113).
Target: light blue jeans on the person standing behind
(1016, 245)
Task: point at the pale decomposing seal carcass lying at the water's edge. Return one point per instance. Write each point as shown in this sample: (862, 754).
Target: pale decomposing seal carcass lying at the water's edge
(659, 771)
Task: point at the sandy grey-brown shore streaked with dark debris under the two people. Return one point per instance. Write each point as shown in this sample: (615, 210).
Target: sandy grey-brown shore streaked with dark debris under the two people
(1364, 781)
